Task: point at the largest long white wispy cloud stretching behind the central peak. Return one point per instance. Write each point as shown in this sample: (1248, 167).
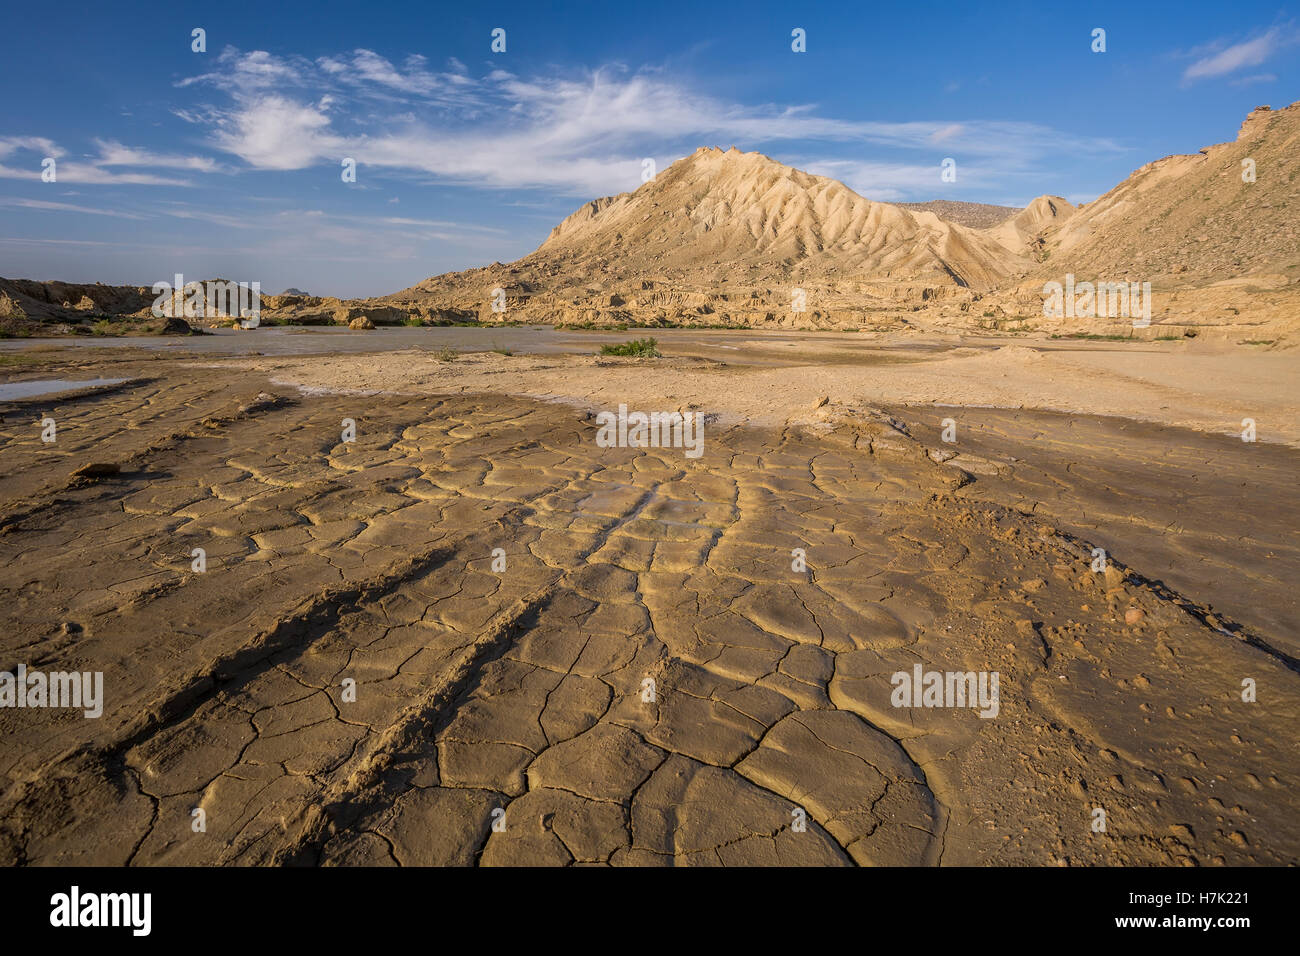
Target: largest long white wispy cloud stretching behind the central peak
(580, 136)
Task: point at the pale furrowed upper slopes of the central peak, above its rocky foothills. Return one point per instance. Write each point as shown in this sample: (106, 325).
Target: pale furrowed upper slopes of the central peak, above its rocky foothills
(727, 215)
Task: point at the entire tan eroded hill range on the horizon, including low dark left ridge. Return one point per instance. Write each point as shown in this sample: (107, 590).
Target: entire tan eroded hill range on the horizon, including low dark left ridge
(730, 239)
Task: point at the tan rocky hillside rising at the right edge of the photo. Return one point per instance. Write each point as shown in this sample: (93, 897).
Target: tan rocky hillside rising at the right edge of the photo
(1221, 253)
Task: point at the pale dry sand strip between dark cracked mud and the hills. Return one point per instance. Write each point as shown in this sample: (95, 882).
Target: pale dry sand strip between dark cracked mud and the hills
(1203, 388)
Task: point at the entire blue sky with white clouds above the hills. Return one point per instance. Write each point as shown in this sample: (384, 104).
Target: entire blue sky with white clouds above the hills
(228, 162)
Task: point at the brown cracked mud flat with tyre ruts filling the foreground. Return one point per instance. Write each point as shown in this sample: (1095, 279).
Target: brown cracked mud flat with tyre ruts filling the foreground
(525, 690)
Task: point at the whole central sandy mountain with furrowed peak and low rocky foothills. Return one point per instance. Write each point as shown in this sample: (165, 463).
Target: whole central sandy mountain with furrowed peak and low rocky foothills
(726, 239)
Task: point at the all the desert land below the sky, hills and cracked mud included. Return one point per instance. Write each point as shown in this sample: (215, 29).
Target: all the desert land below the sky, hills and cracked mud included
(370, 585)
